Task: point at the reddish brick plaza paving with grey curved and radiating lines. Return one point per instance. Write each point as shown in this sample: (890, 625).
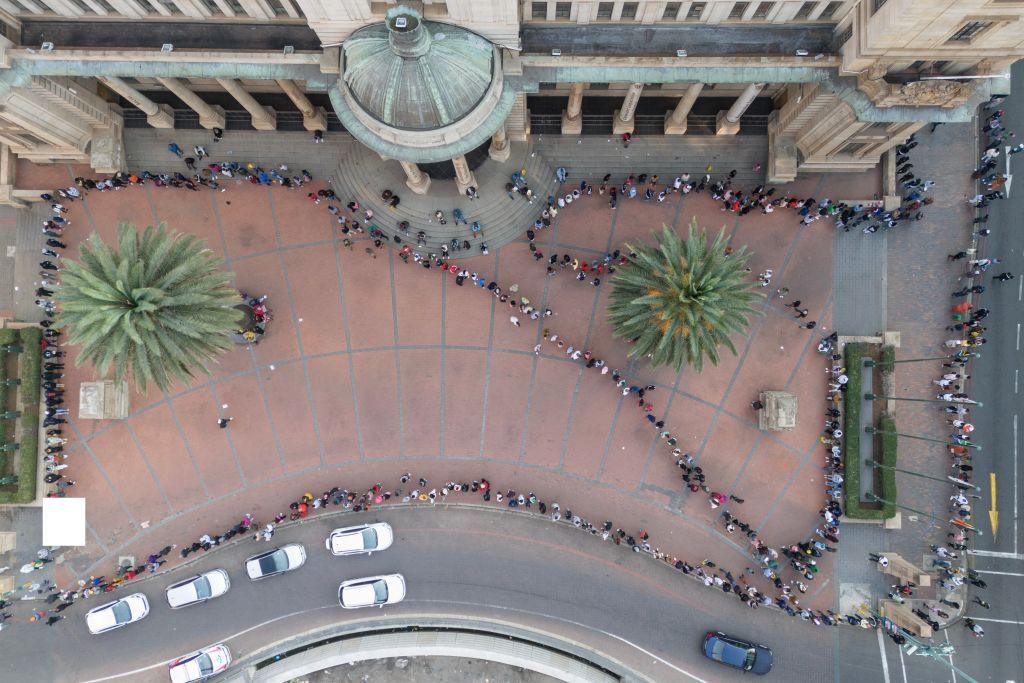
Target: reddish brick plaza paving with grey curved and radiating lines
(373, 367)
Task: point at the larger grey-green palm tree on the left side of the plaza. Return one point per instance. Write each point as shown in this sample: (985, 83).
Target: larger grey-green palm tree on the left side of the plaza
(158, 306)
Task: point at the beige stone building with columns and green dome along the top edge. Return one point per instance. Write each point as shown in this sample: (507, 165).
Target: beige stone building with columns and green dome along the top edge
(839, 82)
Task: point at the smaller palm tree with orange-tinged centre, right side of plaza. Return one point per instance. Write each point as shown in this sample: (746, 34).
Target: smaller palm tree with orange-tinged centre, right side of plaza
(680, 301)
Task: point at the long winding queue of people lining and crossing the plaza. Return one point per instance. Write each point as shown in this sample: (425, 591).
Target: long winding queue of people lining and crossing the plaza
(788, 579)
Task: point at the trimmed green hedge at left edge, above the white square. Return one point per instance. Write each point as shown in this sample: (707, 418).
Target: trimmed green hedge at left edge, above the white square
(29, 363)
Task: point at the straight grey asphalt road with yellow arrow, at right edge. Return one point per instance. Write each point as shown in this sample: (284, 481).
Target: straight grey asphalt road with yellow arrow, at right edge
(997, 382)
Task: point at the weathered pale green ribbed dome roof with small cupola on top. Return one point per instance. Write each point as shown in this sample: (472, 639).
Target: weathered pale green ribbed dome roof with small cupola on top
(417, 75)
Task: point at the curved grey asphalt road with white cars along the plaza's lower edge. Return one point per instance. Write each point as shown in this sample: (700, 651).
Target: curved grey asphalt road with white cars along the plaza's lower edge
(491, 566)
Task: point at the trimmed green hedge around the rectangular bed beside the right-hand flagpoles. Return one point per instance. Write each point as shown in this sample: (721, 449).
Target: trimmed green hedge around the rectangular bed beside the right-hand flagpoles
(854, 433)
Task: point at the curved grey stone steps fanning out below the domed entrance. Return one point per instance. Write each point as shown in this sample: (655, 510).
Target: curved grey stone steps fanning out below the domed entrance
(362, 176)
